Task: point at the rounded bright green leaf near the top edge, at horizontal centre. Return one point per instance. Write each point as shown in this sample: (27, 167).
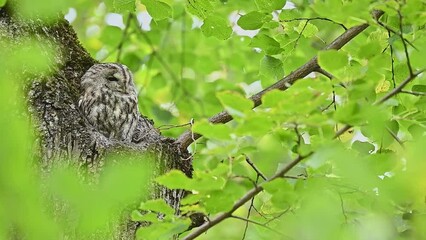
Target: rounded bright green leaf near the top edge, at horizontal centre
(217, 27)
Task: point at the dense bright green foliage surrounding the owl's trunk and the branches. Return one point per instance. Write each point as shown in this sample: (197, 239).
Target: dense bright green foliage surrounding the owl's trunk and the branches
(194, 59)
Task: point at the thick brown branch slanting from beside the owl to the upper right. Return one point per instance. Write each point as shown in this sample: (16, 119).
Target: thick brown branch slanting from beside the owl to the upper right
(188, 137)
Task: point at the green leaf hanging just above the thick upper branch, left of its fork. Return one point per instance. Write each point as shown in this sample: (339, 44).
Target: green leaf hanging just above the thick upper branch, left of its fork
(272, 70)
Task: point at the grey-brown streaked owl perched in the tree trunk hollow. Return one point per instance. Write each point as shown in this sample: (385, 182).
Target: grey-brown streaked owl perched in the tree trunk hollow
(109, 100)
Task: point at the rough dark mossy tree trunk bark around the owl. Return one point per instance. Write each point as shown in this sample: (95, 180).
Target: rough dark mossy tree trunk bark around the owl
(63, 132)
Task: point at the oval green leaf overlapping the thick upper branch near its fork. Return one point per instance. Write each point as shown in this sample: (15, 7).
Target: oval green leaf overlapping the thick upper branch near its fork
(332, 60)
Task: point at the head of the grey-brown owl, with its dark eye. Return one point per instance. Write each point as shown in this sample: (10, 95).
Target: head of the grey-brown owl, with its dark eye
(113, 76)
